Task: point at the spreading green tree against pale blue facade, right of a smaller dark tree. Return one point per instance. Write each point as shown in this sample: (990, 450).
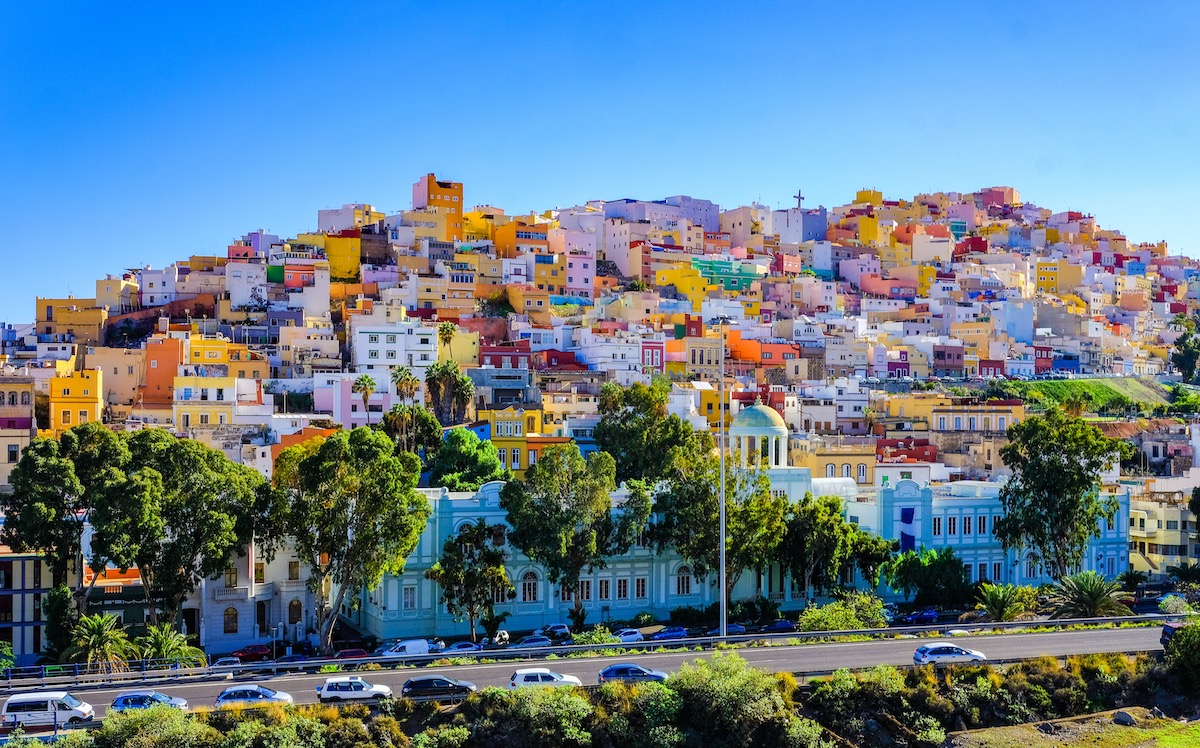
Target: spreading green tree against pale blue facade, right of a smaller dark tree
(563, 516)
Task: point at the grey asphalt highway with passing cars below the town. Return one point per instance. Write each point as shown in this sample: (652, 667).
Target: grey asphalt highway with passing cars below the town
(801, 659)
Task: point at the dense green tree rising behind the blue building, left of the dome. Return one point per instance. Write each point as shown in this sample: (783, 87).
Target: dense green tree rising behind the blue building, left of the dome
(637, 430)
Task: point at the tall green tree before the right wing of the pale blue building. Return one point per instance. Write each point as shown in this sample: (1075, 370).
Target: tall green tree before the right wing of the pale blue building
(1053, 502)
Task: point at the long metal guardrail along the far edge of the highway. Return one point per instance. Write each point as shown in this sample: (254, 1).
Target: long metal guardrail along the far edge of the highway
(142, 674)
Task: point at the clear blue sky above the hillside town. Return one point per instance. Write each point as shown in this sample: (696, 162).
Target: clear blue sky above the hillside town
(135, 134)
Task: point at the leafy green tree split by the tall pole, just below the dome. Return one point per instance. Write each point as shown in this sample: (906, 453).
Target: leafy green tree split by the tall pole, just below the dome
(687, 510)
